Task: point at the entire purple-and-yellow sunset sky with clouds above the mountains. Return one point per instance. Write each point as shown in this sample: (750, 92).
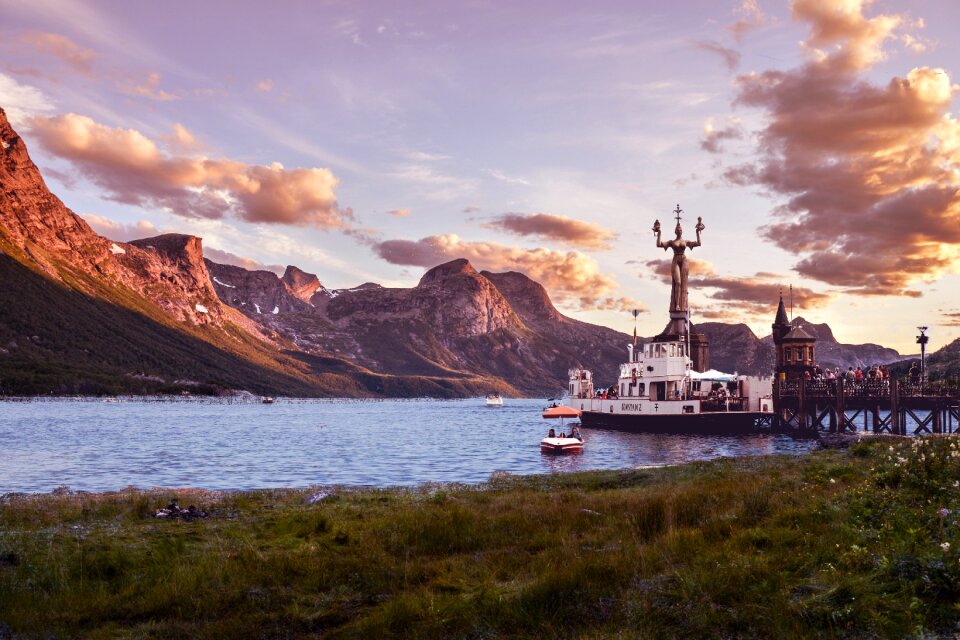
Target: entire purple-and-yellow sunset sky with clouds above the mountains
(369, 141)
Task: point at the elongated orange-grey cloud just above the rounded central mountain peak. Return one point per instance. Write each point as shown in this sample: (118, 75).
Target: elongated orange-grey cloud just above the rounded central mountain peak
(572, 278)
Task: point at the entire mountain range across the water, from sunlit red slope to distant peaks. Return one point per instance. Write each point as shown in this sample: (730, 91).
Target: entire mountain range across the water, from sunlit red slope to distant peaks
(80, 313)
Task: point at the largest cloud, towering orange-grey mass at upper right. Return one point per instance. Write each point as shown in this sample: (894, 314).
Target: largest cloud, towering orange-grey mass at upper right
(870, 173)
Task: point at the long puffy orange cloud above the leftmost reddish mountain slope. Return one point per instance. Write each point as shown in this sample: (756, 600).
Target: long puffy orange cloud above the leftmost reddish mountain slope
(134, 170)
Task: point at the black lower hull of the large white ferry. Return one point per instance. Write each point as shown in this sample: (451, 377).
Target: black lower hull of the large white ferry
(721, 422)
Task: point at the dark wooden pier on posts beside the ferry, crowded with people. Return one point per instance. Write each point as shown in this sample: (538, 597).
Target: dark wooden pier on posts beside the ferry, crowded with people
(880, 406)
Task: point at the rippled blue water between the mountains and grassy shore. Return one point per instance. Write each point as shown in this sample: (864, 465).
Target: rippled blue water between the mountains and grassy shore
(101, 446)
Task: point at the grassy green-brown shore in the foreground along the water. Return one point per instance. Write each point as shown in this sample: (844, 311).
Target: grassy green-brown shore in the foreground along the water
(855, 543)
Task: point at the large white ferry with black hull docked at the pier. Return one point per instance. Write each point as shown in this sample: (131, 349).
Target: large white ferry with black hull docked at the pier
(657, 390)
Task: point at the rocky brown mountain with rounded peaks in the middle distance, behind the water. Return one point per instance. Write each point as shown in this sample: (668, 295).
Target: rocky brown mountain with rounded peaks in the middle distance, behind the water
(456, 322)
